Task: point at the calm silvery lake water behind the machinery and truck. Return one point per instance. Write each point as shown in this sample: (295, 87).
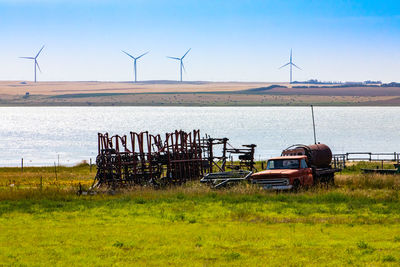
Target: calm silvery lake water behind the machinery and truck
(41, 135)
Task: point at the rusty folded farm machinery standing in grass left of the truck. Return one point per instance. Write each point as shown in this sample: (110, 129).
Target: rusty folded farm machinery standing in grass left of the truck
(144, 159)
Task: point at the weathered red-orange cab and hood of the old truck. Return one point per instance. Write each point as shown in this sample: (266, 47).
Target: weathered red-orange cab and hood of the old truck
(284, 173)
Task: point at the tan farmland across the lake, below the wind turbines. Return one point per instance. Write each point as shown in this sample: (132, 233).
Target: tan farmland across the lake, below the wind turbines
(159, 93)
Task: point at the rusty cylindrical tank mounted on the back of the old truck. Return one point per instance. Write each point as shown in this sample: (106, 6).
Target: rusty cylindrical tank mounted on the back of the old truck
(319, 155)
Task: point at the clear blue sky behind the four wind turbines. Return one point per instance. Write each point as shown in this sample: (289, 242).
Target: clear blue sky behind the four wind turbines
(230, 40)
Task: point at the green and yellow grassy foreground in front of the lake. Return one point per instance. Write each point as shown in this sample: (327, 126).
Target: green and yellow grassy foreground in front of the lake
(357, 222)
